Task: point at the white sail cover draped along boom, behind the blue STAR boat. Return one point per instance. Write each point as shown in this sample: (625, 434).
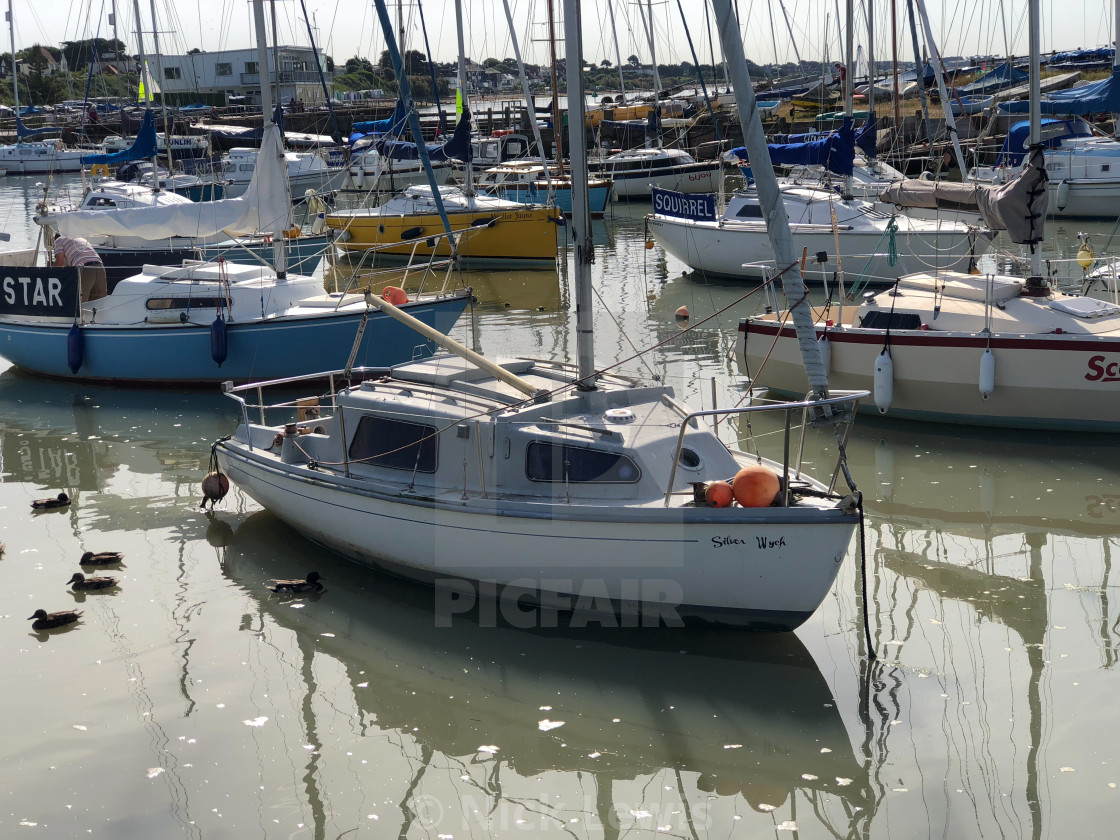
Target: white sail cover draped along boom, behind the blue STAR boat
(266, 207)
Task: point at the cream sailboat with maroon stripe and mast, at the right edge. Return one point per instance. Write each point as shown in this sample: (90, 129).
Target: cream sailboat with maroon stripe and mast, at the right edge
(967, 349)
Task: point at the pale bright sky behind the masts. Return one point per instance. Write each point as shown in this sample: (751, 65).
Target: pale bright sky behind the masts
(346, 29)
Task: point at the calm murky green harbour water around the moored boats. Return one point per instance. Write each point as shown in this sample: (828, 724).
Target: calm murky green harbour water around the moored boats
(192, 703)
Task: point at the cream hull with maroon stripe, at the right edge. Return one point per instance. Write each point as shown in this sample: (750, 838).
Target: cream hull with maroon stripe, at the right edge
(1060, 382)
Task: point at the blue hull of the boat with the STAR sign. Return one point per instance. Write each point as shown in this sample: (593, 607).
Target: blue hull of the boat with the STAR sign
(181, 353)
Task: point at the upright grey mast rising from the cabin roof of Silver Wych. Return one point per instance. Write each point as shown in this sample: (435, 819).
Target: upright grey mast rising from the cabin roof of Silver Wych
(581, 207)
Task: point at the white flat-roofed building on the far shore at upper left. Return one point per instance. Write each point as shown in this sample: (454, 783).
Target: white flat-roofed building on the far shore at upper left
(213, 78)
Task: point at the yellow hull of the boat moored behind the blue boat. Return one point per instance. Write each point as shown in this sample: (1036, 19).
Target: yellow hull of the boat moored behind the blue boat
(503, 238)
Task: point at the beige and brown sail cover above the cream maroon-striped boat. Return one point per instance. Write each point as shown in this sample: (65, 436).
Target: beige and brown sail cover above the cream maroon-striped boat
(1019, 207)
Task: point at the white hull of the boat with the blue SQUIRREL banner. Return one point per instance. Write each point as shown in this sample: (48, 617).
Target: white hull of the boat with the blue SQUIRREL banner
(722, 250)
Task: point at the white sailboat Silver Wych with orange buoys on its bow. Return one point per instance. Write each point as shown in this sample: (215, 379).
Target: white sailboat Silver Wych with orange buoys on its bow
(549, 486)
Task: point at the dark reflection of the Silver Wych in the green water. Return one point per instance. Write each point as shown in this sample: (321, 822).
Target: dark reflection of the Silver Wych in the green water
(629, 731)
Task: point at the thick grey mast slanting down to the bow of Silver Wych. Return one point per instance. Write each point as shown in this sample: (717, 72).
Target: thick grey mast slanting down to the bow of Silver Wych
(778, 223)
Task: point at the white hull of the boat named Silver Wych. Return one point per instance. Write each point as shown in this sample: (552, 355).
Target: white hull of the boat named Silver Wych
(643, 566)
